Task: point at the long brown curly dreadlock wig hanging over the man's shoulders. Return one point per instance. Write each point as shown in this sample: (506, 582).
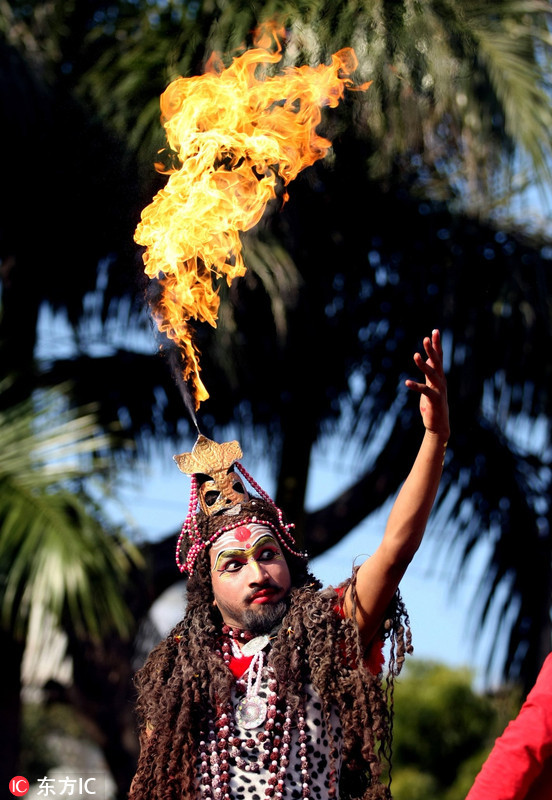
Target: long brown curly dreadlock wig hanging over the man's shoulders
(184, 678)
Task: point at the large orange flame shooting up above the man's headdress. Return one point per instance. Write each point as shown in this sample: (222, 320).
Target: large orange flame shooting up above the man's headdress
(233, 135)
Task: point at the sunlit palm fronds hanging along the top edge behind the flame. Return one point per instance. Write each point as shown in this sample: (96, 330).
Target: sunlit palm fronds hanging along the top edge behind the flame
(462, 82)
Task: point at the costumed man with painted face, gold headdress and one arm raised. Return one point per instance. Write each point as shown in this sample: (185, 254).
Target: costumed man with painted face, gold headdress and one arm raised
(270, 687)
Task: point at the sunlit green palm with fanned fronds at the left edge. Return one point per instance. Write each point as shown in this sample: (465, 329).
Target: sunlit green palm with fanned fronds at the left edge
(59, 560)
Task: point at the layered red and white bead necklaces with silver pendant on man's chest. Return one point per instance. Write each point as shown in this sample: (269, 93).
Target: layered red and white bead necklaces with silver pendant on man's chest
(219, 744)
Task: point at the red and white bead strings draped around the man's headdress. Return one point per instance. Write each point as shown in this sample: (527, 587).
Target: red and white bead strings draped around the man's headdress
(190, 527)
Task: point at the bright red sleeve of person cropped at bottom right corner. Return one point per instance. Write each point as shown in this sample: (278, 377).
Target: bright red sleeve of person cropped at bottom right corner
(519, 767)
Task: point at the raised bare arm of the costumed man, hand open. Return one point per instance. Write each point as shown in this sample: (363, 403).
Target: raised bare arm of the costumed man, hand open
(379, 576)
